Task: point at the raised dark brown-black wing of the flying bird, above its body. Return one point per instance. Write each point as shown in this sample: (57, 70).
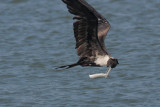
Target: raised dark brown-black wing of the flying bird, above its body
(90, 28)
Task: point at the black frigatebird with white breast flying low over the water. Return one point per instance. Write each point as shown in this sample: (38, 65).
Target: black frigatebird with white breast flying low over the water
(90, 30)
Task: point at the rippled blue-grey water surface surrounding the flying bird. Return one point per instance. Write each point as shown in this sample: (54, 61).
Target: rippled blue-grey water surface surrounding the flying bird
(36, 36)
